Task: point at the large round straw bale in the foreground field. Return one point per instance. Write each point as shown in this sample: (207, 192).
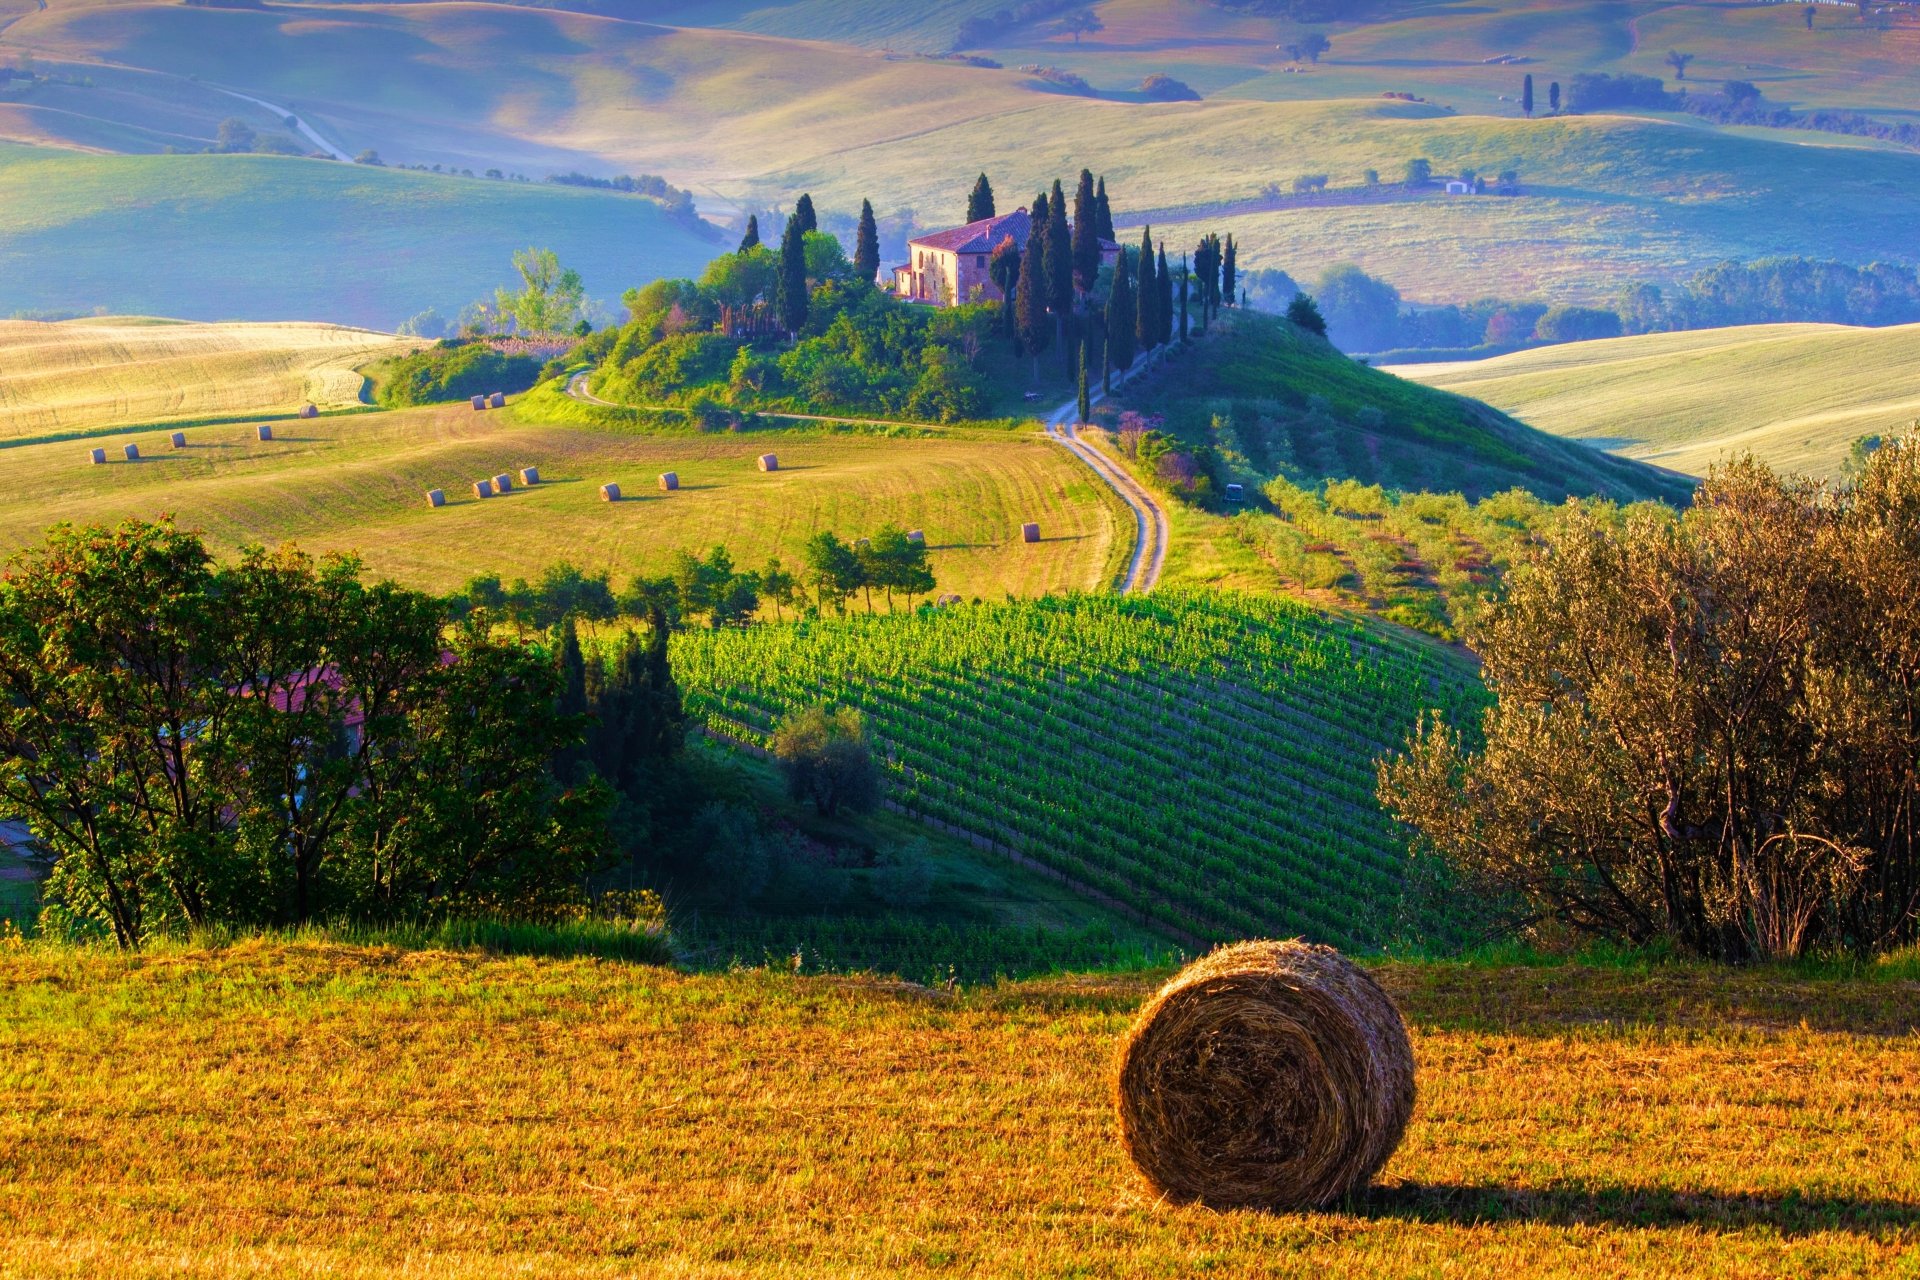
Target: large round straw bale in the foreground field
(1268, 1076)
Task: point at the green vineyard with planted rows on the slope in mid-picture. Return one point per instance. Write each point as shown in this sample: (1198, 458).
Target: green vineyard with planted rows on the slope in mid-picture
(1201, 761)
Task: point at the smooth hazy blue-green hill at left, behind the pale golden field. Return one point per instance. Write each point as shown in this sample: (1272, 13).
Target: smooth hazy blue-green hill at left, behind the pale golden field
(251, 237)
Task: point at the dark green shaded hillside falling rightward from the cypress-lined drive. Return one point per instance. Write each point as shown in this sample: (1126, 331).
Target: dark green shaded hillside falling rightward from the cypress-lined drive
(1291, 404)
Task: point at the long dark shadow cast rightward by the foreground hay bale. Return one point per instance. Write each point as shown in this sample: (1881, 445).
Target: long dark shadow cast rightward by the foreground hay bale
(1635, 1206)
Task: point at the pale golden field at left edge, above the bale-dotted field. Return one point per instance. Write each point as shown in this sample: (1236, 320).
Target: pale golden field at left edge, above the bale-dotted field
(89, 375)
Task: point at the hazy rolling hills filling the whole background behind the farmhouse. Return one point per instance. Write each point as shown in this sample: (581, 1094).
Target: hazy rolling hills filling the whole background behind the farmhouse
(752, 105)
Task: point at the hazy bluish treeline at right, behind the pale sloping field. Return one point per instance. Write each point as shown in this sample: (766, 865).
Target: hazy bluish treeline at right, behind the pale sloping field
(1368, 316)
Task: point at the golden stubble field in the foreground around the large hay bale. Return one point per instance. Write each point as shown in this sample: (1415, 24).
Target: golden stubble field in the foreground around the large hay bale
(327, 1110)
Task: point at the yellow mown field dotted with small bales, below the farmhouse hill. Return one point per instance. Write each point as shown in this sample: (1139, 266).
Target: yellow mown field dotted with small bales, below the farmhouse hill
(358, 485)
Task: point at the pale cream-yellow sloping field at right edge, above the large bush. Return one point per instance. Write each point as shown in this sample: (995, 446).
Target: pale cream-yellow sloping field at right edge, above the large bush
(1792, 394)
